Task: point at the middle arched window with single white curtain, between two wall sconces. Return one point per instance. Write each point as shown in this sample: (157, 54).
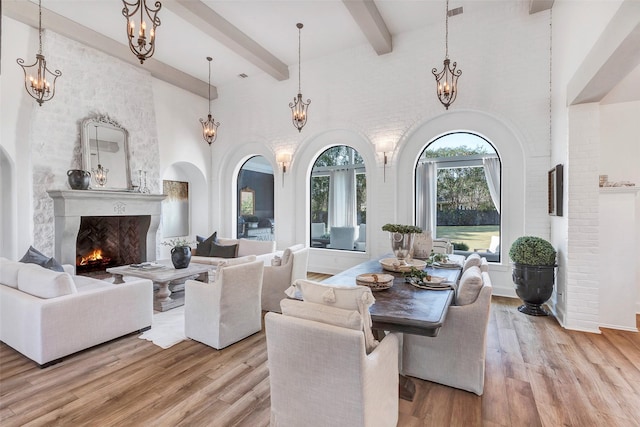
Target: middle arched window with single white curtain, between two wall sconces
(338, 208)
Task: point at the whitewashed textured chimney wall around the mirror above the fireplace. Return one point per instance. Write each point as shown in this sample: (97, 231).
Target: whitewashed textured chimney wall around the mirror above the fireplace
(92, 83)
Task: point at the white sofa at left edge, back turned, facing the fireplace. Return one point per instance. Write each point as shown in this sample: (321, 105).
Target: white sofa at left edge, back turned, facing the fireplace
(47, 315)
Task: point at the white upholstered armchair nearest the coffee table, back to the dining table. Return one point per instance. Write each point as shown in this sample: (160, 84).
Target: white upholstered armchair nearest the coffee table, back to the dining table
(227, 310)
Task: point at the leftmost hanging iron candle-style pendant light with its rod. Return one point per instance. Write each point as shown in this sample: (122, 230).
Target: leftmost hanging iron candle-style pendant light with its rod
(38, 87)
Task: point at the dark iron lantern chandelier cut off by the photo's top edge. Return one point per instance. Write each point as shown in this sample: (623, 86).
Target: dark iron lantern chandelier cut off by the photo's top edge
(140, 47)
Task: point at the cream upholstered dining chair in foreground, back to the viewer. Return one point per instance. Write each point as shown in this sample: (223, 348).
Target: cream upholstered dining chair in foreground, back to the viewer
(320, 374)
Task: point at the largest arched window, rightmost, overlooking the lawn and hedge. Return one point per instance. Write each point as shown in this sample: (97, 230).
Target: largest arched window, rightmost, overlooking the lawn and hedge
(458, 193)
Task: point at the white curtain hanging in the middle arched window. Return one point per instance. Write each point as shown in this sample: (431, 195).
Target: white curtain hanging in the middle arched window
(342, 198)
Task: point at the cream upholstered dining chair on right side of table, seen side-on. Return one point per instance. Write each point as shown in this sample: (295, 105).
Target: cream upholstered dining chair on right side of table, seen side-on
(456, 357)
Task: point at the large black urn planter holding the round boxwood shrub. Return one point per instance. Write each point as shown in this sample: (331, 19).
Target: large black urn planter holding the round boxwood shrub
(534, 286)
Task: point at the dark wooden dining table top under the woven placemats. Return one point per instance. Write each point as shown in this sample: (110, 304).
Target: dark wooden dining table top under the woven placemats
(404, 307)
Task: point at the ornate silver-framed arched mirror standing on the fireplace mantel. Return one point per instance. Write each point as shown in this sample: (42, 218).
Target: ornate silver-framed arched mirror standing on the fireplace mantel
(105, 153)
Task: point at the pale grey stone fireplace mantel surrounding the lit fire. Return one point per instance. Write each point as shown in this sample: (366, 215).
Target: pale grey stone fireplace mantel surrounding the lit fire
(69, 206)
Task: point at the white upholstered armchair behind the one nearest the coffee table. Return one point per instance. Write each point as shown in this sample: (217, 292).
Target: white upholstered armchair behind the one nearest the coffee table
(277, 278)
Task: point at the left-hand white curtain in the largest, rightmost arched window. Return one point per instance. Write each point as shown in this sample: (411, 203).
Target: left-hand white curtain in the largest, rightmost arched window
(426, 196)
